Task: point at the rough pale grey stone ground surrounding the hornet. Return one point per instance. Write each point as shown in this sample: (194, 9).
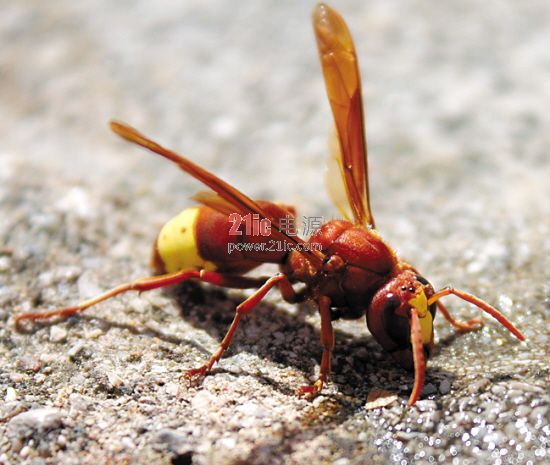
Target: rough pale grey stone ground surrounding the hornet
(457, 103)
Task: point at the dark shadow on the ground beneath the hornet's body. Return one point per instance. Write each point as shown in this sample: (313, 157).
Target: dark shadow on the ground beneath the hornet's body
(359, 362)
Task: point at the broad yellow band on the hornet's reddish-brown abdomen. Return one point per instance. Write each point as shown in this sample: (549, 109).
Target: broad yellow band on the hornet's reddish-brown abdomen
(177, 244)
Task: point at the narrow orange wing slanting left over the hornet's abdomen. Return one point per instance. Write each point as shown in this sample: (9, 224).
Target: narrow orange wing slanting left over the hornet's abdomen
(232, 196)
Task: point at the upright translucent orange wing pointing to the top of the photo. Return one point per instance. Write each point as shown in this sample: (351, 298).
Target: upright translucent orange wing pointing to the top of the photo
(343, 83)
